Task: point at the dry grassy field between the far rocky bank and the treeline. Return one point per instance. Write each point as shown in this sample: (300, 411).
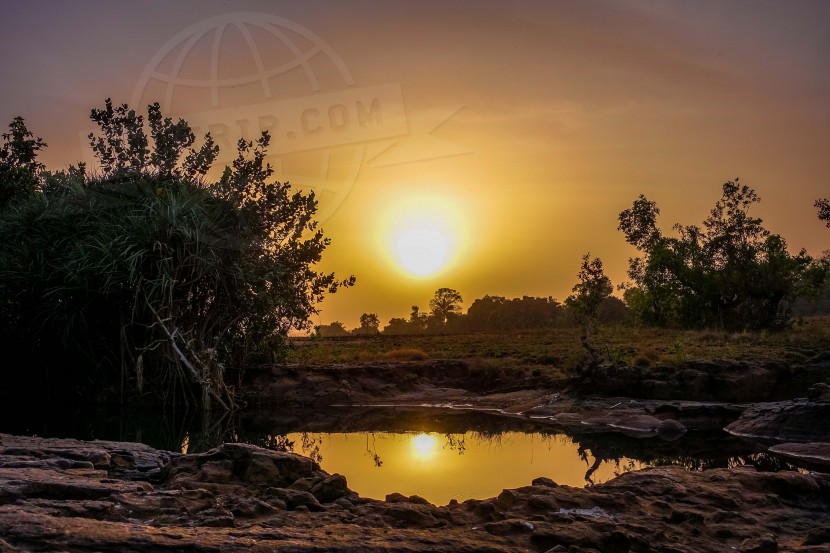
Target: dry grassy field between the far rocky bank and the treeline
(560, 348)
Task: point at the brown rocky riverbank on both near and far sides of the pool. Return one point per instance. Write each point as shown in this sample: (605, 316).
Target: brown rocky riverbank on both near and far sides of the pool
(221, 496)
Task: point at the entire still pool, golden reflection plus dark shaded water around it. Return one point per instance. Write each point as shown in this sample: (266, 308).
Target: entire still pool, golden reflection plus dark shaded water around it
(438, 454)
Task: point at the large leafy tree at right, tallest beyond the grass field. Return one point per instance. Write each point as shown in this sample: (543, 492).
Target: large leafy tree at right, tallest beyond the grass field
(730, 273)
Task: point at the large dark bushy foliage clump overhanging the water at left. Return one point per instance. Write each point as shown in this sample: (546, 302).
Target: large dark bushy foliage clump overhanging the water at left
(146, 277)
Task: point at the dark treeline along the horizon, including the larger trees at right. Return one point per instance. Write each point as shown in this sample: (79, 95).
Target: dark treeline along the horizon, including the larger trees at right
(728, 273)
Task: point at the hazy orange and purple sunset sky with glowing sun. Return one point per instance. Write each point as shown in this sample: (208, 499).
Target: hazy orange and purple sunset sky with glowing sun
(480, 146)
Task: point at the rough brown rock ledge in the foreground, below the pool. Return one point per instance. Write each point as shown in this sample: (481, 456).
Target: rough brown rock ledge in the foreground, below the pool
(67, 495)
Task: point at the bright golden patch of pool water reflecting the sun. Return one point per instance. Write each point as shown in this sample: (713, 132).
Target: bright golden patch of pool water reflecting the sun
(440, 467)
